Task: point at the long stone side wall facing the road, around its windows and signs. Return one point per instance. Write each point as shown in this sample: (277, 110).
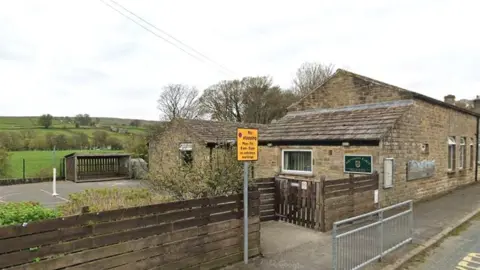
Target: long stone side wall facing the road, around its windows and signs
(427, 124)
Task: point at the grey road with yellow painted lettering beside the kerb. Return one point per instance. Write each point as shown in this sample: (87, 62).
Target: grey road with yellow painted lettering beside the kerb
(459, 251)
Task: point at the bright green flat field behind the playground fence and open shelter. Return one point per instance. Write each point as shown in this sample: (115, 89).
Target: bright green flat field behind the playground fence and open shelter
(40, 163)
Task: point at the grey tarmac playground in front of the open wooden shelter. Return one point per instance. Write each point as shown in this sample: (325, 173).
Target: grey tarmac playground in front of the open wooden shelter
(42, 192)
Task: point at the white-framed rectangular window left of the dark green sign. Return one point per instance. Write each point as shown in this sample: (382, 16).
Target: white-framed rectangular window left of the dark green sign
(297, 161)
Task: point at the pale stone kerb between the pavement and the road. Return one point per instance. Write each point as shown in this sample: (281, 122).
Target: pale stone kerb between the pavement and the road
(430, 242)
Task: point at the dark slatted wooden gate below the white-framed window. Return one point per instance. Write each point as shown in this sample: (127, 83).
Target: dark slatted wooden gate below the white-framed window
(298, 202)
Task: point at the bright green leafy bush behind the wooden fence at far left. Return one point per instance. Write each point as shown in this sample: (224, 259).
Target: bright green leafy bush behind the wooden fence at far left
(19, 212)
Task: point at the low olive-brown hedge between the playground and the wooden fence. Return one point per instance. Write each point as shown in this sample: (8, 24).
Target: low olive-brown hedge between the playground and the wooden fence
(109, 199)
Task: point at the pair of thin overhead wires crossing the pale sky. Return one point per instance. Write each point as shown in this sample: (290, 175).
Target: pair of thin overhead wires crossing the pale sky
(221, 68)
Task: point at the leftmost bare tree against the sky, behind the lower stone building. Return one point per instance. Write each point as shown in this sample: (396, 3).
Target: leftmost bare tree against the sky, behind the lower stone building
(179, 101)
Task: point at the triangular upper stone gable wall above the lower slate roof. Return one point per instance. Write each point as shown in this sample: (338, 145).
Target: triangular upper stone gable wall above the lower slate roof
(345, 90)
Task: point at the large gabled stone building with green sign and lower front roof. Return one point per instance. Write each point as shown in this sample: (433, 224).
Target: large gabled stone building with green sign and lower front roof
(420, 146)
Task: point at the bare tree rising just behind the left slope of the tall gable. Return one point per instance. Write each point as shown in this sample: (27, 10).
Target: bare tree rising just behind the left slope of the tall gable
(311, 75)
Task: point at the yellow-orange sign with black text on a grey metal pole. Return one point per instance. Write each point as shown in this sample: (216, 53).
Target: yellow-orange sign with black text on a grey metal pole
(247, 144)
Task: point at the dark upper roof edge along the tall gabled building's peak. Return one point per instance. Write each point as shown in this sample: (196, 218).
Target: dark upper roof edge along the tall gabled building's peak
(412, 94)
